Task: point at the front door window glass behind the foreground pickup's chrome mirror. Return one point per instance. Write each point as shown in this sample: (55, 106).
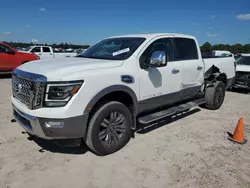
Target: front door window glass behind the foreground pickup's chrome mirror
(165, 44)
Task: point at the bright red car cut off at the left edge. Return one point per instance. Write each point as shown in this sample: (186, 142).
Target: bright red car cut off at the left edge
(10, 58)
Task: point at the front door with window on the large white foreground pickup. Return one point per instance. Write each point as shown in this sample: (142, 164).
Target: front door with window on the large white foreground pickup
(159, 86)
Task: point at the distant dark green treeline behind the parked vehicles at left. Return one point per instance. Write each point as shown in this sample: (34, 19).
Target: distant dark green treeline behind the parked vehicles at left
(62, 45)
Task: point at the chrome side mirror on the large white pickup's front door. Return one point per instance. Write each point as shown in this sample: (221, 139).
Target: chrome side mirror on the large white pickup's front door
(158, 59)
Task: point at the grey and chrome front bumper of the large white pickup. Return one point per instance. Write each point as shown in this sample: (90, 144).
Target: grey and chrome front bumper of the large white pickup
(49, 128)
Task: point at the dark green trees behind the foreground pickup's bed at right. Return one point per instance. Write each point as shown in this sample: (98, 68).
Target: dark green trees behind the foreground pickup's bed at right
(236, 48)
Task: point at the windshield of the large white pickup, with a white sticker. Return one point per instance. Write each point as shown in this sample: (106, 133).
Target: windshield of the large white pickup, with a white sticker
(113, 48)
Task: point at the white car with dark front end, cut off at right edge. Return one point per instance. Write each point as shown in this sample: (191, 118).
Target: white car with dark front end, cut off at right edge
(242, 77)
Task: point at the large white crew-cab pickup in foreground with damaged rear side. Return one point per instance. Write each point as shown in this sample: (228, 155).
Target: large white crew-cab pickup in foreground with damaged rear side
(101, 95)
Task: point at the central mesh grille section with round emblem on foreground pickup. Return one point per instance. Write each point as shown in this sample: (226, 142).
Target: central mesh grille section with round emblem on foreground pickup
(22, 89)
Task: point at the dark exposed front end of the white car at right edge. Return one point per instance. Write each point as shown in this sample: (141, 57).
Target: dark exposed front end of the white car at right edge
(242, 80)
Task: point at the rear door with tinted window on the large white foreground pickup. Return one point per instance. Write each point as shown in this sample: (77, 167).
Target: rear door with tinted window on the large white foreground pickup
(192, 66)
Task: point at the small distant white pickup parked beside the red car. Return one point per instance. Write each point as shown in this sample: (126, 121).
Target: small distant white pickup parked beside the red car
(46, 52)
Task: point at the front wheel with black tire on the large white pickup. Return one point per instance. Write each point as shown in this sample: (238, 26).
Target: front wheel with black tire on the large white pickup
(100, 127)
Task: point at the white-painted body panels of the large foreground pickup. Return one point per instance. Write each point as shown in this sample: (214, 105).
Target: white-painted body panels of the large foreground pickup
(99, 74)
